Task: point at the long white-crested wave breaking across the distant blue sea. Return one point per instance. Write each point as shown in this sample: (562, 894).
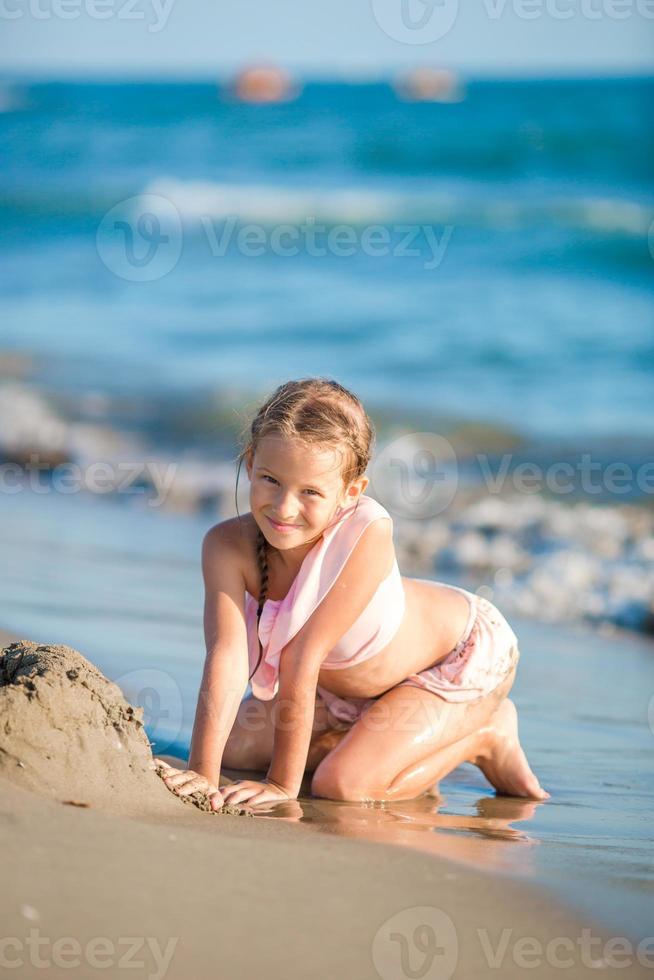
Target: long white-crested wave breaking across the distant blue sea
(270, 205)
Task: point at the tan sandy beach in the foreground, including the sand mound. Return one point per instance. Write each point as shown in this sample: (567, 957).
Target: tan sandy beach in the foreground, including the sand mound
(102, 864)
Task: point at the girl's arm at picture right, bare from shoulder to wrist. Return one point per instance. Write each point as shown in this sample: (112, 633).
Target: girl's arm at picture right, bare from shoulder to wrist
(369, 563)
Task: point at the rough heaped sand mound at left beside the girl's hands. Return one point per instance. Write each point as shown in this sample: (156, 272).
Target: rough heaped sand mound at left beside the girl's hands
(67, 732)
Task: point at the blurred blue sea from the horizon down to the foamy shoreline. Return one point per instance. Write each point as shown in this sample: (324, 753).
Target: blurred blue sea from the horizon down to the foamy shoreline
(490, 259)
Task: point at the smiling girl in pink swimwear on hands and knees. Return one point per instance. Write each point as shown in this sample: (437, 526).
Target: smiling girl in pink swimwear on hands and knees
(377, 683)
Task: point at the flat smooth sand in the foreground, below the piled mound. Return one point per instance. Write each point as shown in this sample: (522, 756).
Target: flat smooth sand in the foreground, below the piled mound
(233, 897)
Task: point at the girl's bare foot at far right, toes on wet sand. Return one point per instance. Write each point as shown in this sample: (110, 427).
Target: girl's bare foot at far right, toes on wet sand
(502, 759)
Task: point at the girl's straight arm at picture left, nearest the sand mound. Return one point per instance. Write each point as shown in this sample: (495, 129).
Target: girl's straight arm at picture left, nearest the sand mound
(225, 675)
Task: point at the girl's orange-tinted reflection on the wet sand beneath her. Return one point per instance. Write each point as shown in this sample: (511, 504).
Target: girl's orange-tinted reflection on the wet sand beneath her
(418, 824)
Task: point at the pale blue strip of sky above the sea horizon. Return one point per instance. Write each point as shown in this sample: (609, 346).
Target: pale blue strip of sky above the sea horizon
(354, 37)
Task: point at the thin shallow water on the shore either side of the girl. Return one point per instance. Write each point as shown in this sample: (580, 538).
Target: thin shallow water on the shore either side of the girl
(124, 587)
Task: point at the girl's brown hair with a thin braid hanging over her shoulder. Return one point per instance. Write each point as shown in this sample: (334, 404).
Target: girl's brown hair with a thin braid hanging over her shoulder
(318, 412)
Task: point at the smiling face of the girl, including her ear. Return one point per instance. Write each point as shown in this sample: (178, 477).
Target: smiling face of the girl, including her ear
(295, 490)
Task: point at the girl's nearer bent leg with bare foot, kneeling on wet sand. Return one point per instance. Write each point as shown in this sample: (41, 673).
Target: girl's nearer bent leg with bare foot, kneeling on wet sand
(410, 738)
